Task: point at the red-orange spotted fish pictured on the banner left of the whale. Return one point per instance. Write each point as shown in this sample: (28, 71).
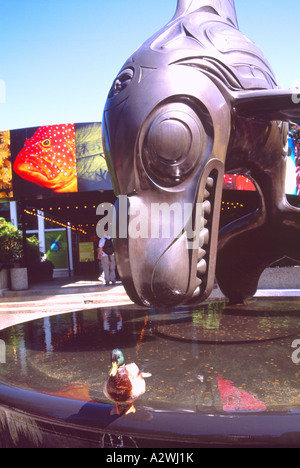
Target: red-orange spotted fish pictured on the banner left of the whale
(48, 158)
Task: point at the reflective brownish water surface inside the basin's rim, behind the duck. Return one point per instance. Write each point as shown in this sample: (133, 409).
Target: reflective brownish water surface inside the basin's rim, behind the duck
(210, 357)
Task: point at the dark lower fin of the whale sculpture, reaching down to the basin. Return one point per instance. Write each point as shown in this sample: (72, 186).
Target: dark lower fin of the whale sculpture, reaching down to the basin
(252, 247)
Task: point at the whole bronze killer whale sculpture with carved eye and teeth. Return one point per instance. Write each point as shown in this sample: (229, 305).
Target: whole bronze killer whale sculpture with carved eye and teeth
(196, 99)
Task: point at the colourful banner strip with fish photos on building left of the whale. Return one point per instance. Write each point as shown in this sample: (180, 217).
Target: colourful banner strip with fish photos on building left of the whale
(63, 158)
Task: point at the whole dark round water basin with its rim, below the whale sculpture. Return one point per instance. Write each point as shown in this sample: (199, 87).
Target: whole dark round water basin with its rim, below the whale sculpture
(220, 376)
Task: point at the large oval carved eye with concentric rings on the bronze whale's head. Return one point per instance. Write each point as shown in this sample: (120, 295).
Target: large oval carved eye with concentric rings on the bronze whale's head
(173, 143)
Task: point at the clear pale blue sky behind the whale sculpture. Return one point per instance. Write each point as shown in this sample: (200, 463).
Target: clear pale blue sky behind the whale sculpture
(59, 57)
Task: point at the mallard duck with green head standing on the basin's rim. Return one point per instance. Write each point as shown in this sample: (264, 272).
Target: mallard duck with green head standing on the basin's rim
(125, 383)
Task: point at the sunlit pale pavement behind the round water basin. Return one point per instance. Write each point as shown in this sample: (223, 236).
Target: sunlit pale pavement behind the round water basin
(63, 295)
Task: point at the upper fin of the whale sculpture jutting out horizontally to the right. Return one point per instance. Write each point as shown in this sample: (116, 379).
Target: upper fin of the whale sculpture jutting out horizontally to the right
(274, 104)
